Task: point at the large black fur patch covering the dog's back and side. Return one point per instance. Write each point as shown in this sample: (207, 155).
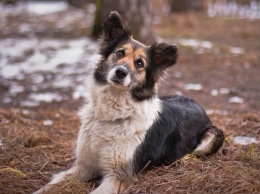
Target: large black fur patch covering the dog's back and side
(176, 132)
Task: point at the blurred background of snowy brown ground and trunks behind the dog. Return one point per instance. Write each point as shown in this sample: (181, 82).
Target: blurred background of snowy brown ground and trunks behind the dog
(47, 49)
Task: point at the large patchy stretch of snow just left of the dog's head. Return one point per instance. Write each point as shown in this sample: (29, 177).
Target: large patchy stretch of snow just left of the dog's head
(46, 64)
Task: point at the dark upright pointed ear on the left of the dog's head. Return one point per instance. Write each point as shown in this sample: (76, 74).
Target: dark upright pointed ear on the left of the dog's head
(115, 29)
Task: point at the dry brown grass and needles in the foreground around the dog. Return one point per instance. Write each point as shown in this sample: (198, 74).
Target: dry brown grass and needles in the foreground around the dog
(32, 152)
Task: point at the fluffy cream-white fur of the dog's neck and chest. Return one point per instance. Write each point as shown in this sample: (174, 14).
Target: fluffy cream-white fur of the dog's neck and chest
(113, 126)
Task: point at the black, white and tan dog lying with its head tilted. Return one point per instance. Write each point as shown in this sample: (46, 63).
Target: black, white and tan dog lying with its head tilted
(125, 127)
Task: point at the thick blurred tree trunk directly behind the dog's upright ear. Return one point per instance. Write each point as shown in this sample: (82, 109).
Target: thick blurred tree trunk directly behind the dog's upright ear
(136, 12)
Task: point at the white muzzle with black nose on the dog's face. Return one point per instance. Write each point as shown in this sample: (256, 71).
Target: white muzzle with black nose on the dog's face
(119, 76)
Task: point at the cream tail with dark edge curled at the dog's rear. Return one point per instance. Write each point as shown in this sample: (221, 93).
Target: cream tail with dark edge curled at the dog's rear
(210, 142)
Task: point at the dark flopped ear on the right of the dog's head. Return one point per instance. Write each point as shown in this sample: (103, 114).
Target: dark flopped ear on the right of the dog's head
(164, 55)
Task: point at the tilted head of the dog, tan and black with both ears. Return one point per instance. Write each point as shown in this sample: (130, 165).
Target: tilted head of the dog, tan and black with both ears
(127, 64)
